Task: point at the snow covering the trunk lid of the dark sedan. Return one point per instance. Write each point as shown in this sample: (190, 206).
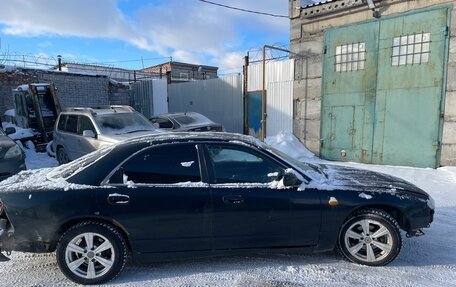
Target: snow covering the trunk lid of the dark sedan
(36, 180)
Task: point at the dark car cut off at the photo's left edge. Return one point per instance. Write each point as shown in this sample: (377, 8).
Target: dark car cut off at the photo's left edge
(12, 158)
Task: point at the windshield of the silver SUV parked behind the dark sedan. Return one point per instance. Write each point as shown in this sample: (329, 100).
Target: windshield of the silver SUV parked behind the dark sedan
(122, 123)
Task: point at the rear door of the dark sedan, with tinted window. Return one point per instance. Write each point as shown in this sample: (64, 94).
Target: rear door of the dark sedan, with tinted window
(160, 199)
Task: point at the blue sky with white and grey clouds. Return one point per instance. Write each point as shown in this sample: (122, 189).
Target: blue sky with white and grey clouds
(96, 31)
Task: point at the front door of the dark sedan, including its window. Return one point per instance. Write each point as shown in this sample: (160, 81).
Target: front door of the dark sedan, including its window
(250, 210)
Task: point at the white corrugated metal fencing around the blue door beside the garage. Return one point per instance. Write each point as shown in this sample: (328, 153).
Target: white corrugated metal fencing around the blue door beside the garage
(279, 93)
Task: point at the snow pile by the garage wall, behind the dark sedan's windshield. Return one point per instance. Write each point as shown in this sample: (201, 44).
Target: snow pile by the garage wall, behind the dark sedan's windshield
(288, 143)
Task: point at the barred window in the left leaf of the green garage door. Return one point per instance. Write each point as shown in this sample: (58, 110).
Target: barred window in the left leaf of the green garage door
(350, 57)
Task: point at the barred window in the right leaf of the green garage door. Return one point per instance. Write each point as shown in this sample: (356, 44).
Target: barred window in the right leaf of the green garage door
(411, 49)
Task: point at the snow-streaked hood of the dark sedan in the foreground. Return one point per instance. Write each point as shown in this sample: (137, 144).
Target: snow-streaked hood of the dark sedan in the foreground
(342, 176)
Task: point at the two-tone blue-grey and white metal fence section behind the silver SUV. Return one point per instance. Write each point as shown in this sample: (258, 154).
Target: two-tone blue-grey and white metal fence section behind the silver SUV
(149, 97)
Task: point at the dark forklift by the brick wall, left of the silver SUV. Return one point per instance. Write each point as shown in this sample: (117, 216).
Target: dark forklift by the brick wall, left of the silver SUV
(37, 108)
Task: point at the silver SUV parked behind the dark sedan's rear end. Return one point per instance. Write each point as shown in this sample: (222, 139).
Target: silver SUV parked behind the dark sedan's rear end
(79, 131)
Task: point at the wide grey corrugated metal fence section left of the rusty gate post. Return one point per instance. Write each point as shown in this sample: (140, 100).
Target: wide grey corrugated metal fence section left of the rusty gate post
(218, 99)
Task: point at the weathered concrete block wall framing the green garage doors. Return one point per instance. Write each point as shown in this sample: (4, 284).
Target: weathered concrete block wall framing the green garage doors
(306, 40)
